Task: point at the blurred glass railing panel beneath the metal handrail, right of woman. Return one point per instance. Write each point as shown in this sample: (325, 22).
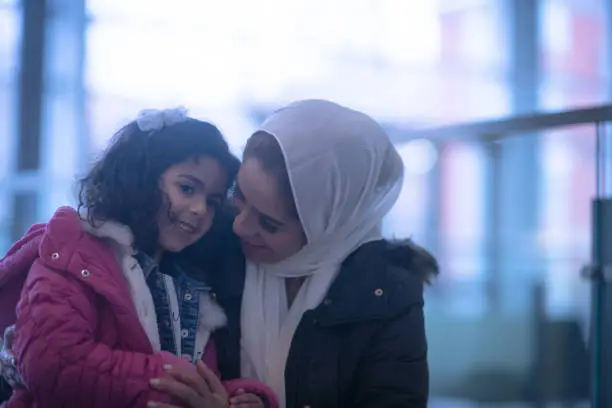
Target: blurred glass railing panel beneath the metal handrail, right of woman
(507, 207)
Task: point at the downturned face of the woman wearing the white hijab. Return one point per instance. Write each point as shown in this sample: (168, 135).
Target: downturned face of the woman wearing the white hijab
(268, 231)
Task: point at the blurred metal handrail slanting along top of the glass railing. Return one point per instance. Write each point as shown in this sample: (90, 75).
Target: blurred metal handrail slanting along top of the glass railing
(496, 130)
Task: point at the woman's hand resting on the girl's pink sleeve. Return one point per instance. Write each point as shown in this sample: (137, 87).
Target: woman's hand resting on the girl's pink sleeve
(196, 389)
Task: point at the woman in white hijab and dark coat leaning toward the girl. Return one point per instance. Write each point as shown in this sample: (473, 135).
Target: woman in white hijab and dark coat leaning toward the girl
(329, 314)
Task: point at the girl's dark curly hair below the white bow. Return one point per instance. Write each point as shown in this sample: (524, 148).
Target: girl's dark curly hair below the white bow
(123, 185)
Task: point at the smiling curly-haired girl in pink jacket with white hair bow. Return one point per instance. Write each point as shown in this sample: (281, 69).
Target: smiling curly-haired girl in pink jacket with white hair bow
(107, 306)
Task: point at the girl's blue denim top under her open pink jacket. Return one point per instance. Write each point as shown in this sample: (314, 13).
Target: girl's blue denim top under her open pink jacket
(188, 293)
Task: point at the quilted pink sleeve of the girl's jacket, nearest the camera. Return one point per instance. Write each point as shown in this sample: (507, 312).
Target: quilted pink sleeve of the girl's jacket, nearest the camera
(59, 359)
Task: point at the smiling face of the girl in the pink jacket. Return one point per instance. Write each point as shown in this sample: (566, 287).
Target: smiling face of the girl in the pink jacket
(193, 191)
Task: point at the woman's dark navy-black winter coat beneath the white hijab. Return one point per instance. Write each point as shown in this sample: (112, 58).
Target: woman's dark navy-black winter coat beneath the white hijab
(364, 346)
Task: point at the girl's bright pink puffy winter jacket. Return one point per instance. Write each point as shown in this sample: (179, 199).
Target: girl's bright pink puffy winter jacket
(78, 341)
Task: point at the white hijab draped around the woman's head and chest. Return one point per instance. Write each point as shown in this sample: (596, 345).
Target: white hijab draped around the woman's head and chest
(345, 175)
